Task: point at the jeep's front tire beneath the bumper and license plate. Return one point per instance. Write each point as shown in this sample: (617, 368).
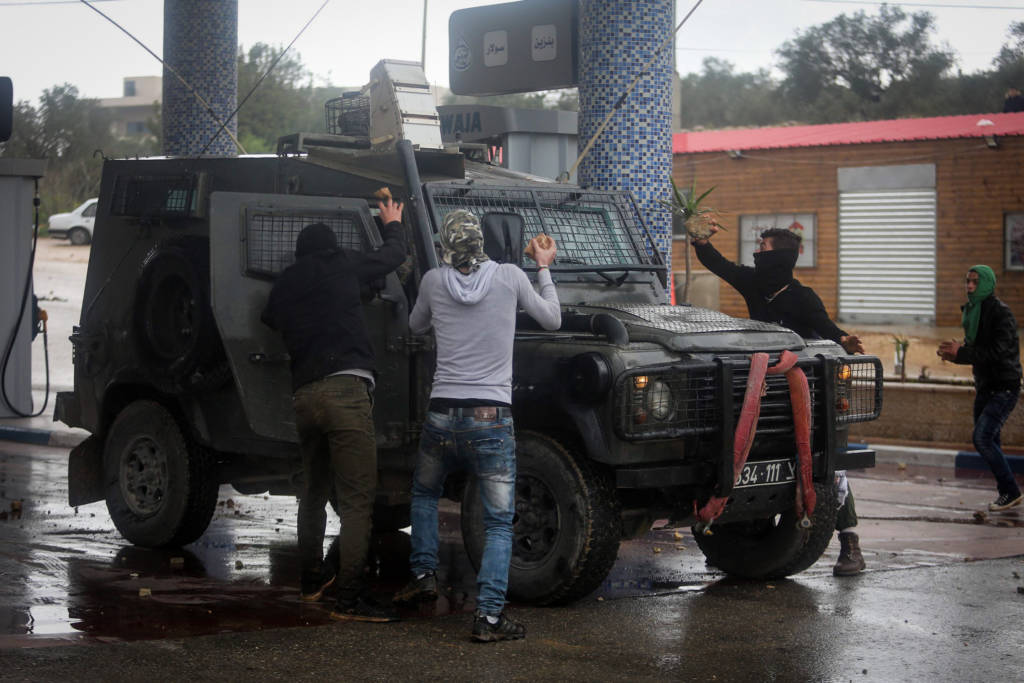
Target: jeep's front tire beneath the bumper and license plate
(772, 548)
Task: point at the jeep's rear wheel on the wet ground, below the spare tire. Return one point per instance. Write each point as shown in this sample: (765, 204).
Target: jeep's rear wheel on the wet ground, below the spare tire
(160, 490)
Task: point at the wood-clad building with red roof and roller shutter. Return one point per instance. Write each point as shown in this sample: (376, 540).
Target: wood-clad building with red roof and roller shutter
(892, 212)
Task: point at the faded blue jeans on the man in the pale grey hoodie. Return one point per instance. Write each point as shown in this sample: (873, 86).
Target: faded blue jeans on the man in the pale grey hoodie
(487, 450)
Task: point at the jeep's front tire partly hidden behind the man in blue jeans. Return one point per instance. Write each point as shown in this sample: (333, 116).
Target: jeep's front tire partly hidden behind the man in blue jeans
(567, 529)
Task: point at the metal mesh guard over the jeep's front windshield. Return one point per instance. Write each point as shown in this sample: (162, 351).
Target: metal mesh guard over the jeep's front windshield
(589, 228)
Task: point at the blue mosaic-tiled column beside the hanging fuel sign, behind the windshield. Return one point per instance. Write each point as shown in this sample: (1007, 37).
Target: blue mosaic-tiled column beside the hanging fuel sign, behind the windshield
(634, 153)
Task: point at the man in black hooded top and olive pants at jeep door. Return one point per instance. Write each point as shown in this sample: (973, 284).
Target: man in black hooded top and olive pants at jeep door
(317, 308)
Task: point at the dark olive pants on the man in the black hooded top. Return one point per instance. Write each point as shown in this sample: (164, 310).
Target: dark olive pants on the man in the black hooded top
(334, 418)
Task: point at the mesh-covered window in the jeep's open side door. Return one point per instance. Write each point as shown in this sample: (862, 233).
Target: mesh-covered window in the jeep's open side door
(271, 238)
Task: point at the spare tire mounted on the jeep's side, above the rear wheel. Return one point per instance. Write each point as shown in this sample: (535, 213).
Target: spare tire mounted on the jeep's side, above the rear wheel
(177, 332)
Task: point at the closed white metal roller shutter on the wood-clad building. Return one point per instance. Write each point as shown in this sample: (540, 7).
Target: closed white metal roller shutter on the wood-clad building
(887, 257)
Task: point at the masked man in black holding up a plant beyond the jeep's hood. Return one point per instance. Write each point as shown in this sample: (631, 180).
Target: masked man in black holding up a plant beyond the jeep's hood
(774, 295)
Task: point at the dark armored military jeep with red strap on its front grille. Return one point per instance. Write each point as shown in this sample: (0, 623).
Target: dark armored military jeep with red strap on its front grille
(625, 416)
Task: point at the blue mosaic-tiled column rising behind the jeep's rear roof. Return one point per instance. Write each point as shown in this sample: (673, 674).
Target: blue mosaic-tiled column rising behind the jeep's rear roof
(201, 44)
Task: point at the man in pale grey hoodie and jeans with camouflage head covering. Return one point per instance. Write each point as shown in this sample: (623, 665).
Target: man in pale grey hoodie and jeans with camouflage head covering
(472, 305)
